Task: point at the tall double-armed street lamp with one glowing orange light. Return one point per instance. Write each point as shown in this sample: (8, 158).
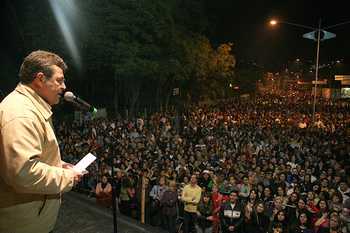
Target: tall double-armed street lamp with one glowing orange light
(318, 34)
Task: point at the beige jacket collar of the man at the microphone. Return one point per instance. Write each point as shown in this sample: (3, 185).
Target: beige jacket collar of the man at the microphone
(41, 105)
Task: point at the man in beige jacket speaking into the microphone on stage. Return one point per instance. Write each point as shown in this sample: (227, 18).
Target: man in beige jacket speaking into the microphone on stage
(32, 174)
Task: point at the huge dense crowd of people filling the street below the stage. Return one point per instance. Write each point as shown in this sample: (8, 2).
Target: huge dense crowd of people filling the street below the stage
(260, 165)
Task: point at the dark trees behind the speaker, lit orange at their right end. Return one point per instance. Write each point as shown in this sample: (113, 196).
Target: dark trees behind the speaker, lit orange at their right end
(131, 54)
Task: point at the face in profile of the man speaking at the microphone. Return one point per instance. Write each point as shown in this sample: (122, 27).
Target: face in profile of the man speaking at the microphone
(53, 87)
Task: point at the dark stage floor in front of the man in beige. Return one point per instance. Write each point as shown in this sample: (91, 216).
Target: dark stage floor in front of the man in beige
(80, 214)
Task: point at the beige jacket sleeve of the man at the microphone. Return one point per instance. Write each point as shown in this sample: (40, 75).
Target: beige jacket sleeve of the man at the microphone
(20, 166)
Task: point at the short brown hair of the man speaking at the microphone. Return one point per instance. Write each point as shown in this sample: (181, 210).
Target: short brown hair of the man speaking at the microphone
(39, 61)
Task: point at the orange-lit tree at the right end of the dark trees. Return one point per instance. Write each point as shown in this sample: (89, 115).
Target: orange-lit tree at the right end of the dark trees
(207, 71)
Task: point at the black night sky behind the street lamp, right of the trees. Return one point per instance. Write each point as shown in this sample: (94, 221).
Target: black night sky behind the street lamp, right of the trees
(246, 24)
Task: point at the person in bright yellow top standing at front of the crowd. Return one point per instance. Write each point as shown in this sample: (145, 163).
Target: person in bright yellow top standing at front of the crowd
(191, 195)
